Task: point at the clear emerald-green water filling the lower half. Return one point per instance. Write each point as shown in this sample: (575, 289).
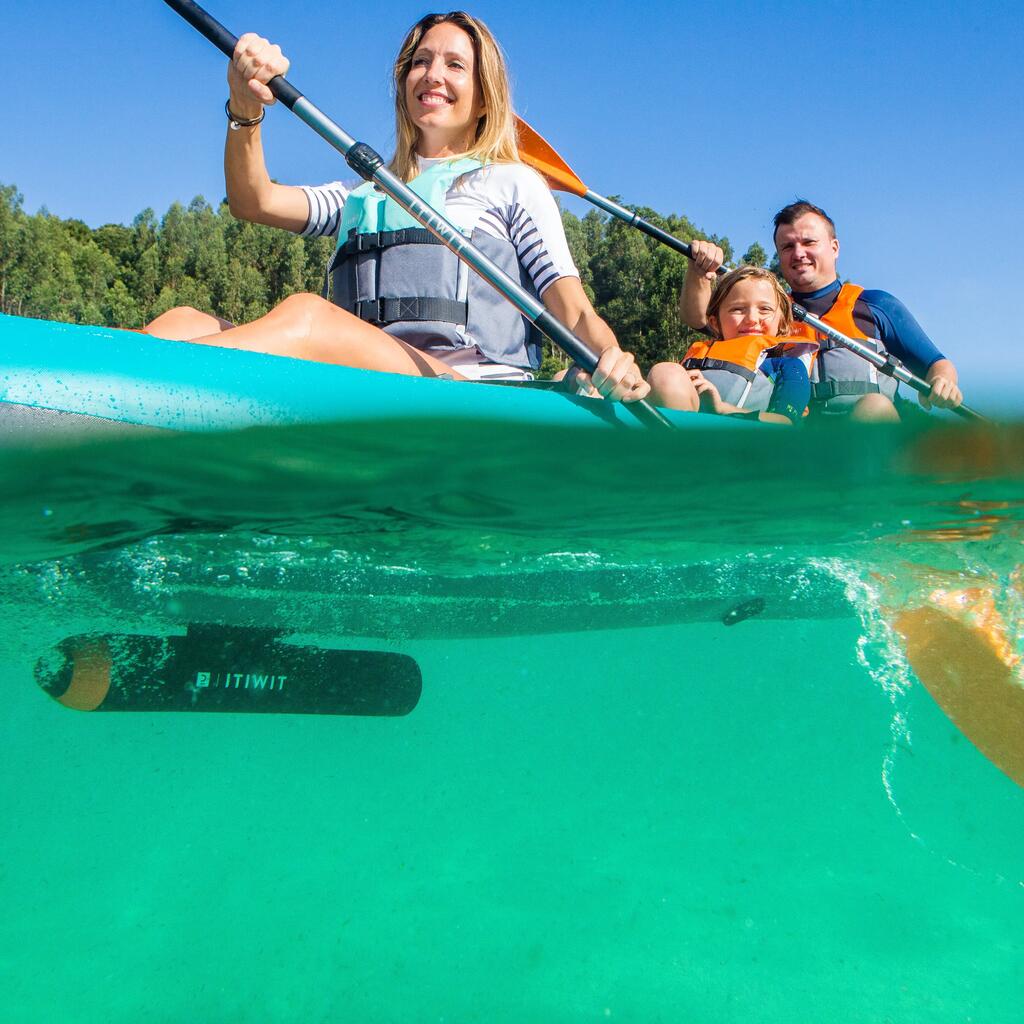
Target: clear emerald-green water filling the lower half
(680, 821)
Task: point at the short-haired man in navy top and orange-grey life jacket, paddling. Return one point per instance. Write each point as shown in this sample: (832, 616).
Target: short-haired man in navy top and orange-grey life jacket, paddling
(842, 382)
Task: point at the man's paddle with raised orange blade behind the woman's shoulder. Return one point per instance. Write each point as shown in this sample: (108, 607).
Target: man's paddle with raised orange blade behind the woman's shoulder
(538, 152)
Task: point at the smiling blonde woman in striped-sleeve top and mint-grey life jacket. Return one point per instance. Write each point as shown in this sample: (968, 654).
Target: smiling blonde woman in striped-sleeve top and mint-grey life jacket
(457, 147)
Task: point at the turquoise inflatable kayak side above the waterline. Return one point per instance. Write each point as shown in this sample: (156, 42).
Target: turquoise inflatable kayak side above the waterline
(66, 379)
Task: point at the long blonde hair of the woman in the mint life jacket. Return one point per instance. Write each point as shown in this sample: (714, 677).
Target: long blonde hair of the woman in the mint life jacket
(496, 134)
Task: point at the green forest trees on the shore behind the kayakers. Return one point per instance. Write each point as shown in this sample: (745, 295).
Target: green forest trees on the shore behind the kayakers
(120, 276)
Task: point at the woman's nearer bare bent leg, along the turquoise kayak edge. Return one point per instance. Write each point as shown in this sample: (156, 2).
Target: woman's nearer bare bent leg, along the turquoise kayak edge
(307, 327)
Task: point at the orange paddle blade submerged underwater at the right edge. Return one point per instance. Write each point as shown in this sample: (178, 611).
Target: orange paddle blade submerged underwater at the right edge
(972, 680)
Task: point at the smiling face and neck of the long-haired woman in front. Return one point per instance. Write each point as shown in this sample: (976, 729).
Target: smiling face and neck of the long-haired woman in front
(443, 95)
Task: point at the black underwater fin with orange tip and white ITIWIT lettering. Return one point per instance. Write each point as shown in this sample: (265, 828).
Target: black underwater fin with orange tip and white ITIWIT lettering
(227, 669)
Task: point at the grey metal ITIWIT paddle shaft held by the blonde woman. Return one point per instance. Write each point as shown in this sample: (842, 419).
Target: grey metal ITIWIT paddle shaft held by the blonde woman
(370, 166)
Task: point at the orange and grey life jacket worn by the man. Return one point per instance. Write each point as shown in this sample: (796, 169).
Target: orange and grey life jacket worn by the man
(840, 378)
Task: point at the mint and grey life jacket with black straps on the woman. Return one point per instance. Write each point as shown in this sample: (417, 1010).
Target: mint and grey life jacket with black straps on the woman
(391, 272)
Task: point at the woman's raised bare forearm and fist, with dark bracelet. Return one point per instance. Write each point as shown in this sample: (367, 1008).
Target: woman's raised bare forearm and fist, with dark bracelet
(251, 194)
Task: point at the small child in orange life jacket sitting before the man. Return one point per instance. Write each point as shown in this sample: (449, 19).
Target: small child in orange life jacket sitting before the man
(749, 367)
